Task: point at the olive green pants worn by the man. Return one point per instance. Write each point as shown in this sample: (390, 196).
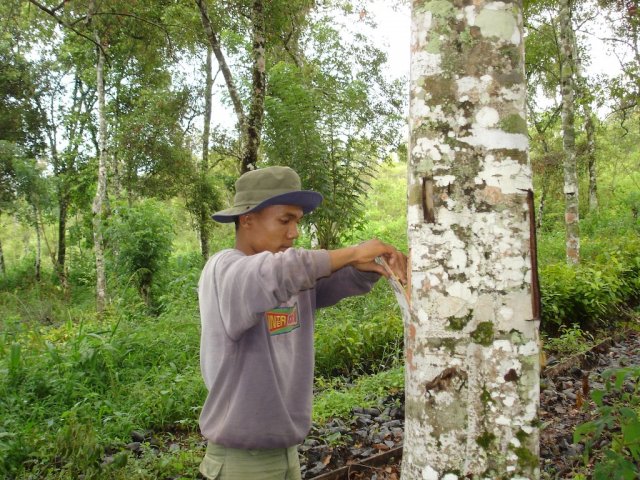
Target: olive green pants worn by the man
(222, 463)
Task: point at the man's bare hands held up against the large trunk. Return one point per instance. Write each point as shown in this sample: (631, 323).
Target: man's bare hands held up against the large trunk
(363, 258)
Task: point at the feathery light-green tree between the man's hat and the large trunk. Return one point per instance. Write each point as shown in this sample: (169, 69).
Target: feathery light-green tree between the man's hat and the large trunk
(332, 119)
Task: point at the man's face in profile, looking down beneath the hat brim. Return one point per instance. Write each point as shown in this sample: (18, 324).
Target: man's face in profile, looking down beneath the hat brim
(272, 229)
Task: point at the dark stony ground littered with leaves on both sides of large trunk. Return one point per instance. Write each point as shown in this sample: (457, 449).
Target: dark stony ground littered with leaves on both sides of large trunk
(342, 449)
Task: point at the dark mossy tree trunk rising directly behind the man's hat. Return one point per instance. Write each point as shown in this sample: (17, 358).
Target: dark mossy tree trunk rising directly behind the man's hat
(256, 112)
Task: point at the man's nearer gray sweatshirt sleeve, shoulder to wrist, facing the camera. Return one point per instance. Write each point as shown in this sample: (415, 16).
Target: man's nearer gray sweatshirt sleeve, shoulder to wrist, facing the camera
(246, 286)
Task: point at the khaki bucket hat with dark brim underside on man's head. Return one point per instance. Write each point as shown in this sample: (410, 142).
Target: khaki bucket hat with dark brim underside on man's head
(268, 186)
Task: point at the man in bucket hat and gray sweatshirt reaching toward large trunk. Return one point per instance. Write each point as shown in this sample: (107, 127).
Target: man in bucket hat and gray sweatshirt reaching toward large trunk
(257, 304)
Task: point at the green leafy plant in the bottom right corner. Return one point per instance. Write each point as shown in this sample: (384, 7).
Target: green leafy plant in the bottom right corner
(617, 422)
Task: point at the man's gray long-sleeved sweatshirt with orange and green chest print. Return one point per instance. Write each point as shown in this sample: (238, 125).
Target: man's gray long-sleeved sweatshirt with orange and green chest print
(256, 348)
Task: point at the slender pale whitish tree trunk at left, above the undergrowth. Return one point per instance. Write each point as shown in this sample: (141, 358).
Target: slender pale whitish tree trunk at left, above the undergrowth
(100, 200)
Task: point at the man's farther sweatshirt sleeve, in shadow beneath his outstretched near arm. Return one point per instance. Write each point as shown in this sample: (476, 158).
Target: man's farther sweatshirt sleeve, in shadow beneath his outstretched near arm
(346, 282)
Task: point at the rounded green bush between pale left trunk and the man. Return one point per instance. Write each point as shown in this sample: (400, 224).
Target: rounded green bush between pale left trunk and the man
(140, 238)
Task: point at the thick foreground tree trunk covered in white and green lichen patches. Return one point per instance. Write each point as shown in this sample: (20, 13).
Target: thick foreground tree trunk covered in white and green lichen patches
(472, 353)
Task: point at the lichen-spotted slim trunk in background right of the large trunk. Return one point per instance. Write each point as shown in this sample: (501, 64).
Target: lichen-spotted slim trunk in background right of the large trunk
(567, 82)
